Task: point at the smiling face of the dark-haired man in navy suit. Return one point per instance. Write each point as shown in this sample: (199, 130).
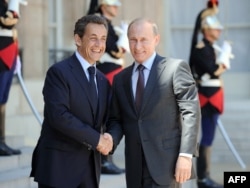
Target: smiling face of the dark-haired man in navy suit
(93, 43)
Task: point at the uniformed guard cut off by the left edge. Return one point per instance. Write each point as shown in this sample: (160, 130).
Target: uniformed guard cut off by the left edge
(9, 15)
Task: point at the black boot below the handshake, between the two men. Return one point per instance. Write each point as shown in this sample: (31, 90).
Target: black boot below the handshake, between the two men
(108, 166)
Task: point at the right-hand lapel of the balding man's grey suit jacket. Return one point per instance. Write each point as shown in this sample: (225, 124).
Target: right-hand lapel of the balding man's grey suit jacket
(157, 68)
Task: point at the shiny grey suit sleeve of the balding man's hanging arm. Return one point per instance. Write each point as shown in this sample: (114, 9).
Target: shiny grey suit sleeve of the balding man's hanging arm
(187, 99)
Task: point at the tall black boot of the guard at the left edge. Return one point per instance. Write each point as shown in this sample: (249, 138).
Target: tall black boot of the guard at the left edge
(4, 149)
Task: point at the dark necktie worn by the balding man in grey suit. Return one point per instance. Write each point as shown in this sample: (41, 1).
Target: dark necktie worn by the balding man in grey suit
(139, 87)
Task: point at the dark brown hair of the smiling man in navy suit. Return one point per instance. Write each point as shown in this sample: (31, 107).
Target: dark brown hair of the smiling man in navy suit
(81, 24)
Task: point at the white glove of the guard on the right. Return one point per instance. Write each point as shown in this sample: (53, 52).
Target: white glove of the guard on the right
(225, 54)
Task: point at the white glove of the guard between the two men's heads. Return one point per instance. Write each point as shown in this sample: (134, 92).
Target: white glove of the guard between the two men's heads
(123, 39)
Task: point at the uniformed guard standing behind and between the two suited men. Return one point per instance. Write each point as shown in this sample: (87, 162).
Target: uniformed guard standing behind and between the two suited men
(112, 61)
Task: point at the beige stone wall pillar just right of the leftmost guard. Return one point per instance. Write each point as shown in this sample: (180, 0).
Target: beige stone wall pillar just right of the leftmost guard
(33, 38)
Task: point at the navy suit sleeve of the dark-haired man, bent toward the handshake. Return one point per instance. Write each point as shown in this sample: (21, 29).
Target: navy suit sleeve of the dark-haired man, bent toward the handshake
(63, 112)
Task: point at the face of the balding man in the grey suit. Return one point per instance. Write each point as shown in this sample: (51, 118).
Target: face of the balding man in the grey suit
(142, 41)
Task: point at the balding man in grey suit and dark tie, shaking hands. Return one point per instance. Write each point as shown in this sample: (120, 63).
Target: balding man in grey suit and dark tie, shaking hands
(161, 126)
